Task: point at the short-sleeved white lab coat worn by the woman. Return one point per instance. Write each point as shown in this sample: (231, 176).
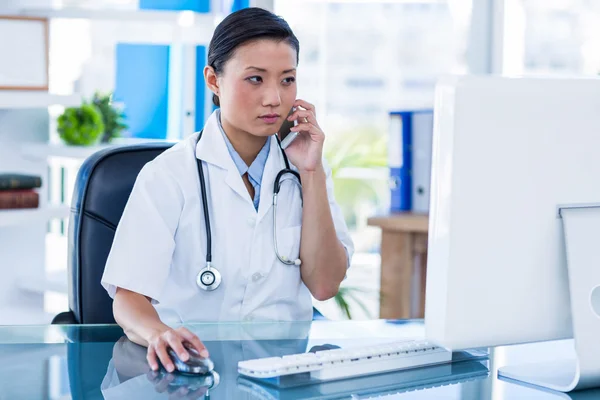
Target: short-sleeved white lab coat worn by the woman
(160, 244)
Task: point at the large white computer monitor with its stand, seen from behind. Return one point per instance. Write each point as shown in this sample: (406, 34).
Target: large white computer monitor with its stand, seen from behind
(514, 231)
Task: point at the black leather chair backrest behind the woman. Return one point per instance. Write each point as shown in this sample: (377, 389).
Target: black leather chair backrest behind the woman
(102, 188)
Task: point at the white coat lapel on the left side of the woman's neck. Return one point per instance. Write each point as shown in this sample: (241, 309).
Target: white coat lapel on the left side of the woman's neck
(213, 150)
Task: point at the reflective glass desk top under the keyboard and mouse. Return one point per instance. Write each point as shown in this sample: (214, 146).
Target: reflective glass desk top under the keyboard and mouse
(99, 362)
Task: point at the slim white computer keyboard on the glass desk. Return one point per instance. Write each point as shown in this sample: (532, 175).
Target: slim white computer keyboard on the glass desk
(351, 362)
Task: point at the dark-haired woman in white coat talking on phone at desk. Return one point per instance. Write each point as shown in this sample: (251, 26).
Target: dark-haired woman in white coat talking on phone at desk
(156, 270)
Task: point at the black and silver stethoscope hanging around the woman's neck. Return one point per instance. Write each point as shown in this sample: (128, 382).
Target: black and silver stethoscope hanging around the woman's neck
(209, 277)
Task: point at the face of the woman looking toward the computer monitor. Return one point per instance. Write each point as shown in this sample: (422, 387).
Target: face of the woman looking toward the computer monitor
(257, 87)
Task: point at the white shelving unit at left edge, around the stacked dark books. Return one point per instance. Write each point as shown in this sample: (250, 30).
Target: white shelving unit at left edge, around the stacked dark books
(25, 118)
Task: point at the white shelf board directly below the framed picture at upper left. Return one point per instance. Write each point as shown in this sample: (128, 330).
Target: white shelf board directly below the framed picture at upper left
(16, 99)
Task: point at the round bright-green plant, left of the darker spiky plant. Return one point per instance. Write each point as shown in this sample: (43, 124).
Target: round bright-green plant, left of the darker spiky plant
(81, 126)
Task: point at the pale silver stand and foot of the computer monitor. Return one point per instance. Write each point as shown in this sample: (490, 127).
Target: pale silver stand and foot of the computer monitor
(581, 228)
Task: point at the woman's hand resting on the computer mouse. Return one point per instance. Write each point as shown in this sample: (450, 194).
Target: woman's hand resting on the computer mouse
(175, 339)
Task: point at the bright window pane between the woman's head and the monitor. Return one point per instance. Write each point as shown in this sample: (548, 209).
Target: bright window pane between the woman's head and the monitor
(359, 60)
